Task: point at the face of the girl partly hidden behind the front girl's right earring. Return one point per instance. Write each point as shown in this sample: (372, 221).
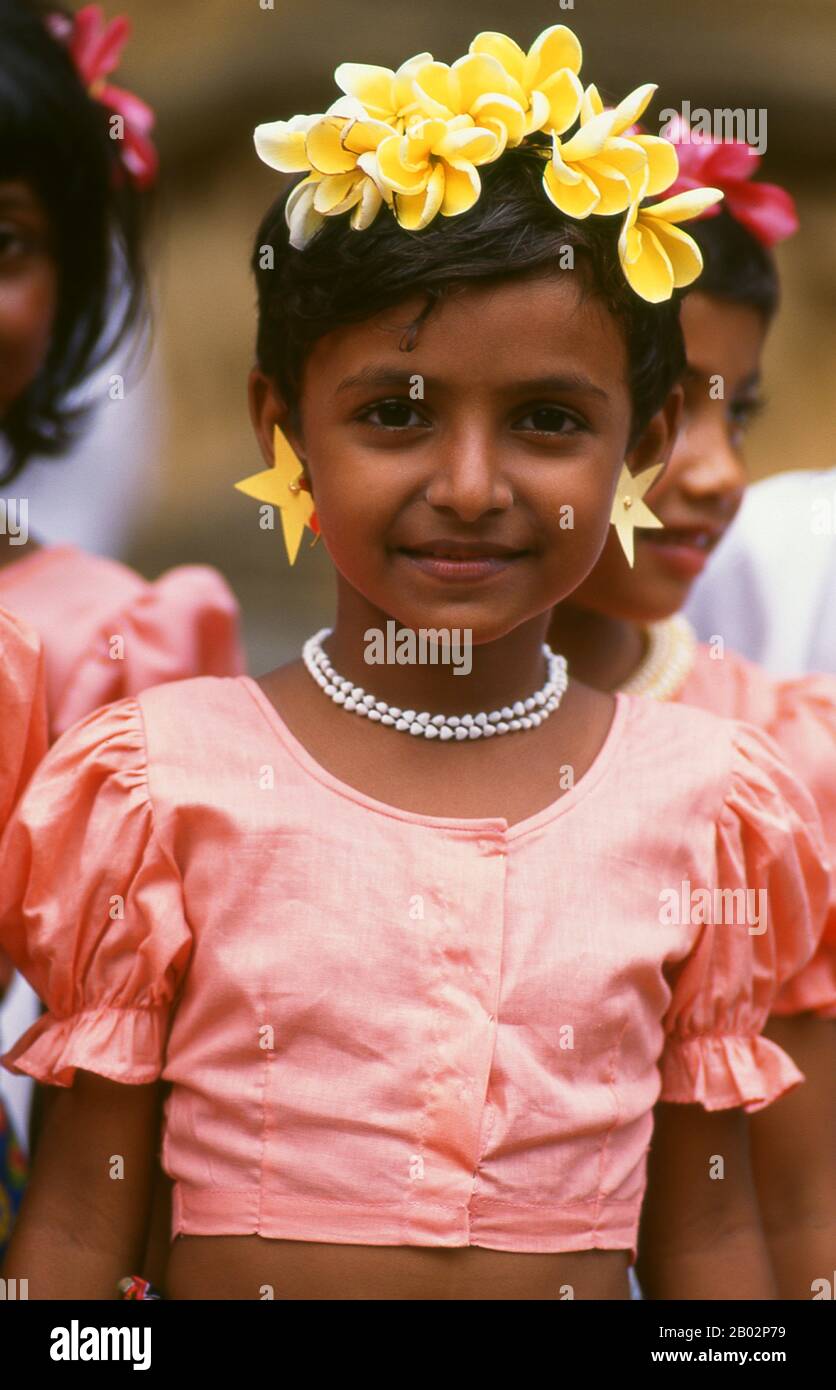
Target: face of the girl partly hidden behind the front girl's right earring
(703, 486)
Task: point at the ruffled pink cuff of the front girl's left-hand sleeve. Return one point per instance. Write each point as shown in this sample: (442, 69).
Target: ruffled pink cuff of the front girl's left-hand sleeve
(122, 1045)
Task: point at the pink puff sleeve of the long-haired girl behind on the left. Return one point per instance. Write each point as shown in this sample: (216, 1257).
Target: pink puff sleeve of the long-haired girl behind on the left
(186, 625)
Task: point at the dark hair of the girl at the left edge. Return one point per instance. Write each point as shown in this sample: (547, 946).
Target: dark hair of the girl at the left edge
(55, 137)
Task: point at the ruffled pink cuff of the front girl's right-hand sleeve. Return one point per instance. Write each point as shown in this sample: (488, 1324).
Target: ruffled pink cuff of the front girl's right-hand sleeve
(727, 1072)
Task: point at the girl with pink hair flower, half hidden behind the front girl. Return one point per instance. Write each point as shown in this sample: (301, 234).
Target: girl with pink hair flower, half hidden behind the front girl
(620, 633)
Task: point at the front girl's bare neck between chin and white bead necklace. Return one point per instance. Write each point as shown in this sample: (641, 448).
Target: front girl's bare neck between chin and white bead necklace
(493, 675)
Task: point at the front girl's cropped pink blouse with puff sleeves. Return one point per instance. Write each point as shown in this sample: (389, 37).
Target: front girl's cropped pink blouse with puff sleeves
(386, 1028)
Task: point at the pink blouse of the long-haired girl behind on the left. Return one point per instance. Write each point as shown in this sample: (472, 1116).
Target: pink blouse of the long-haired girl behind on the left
(108, 633)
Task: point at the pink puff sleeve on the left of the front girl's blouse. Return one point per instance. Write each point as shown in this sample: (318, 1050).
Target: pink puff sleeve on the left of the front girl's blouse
(91, 908)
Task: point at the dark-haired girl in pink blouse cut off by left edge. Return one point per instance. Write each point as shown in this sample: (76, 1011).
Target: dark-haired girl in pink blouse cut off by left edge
(73, 187)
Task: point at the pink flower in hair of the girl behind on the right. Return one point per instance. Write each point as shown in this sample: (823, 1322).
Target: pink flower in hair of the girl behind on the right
(767, 211)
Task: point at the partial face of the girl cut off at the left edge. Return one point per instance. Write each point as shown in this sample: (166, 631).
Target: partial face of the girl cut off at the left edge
(29, 290)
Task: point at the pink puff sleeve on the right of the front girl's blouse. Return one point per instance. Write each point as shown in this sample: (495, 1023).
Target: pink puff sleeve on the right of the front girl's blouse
(770, 851)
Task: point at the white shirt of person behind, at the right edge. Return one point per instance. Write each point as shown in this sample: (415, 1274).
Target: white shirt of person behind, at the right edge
(771, 587)
